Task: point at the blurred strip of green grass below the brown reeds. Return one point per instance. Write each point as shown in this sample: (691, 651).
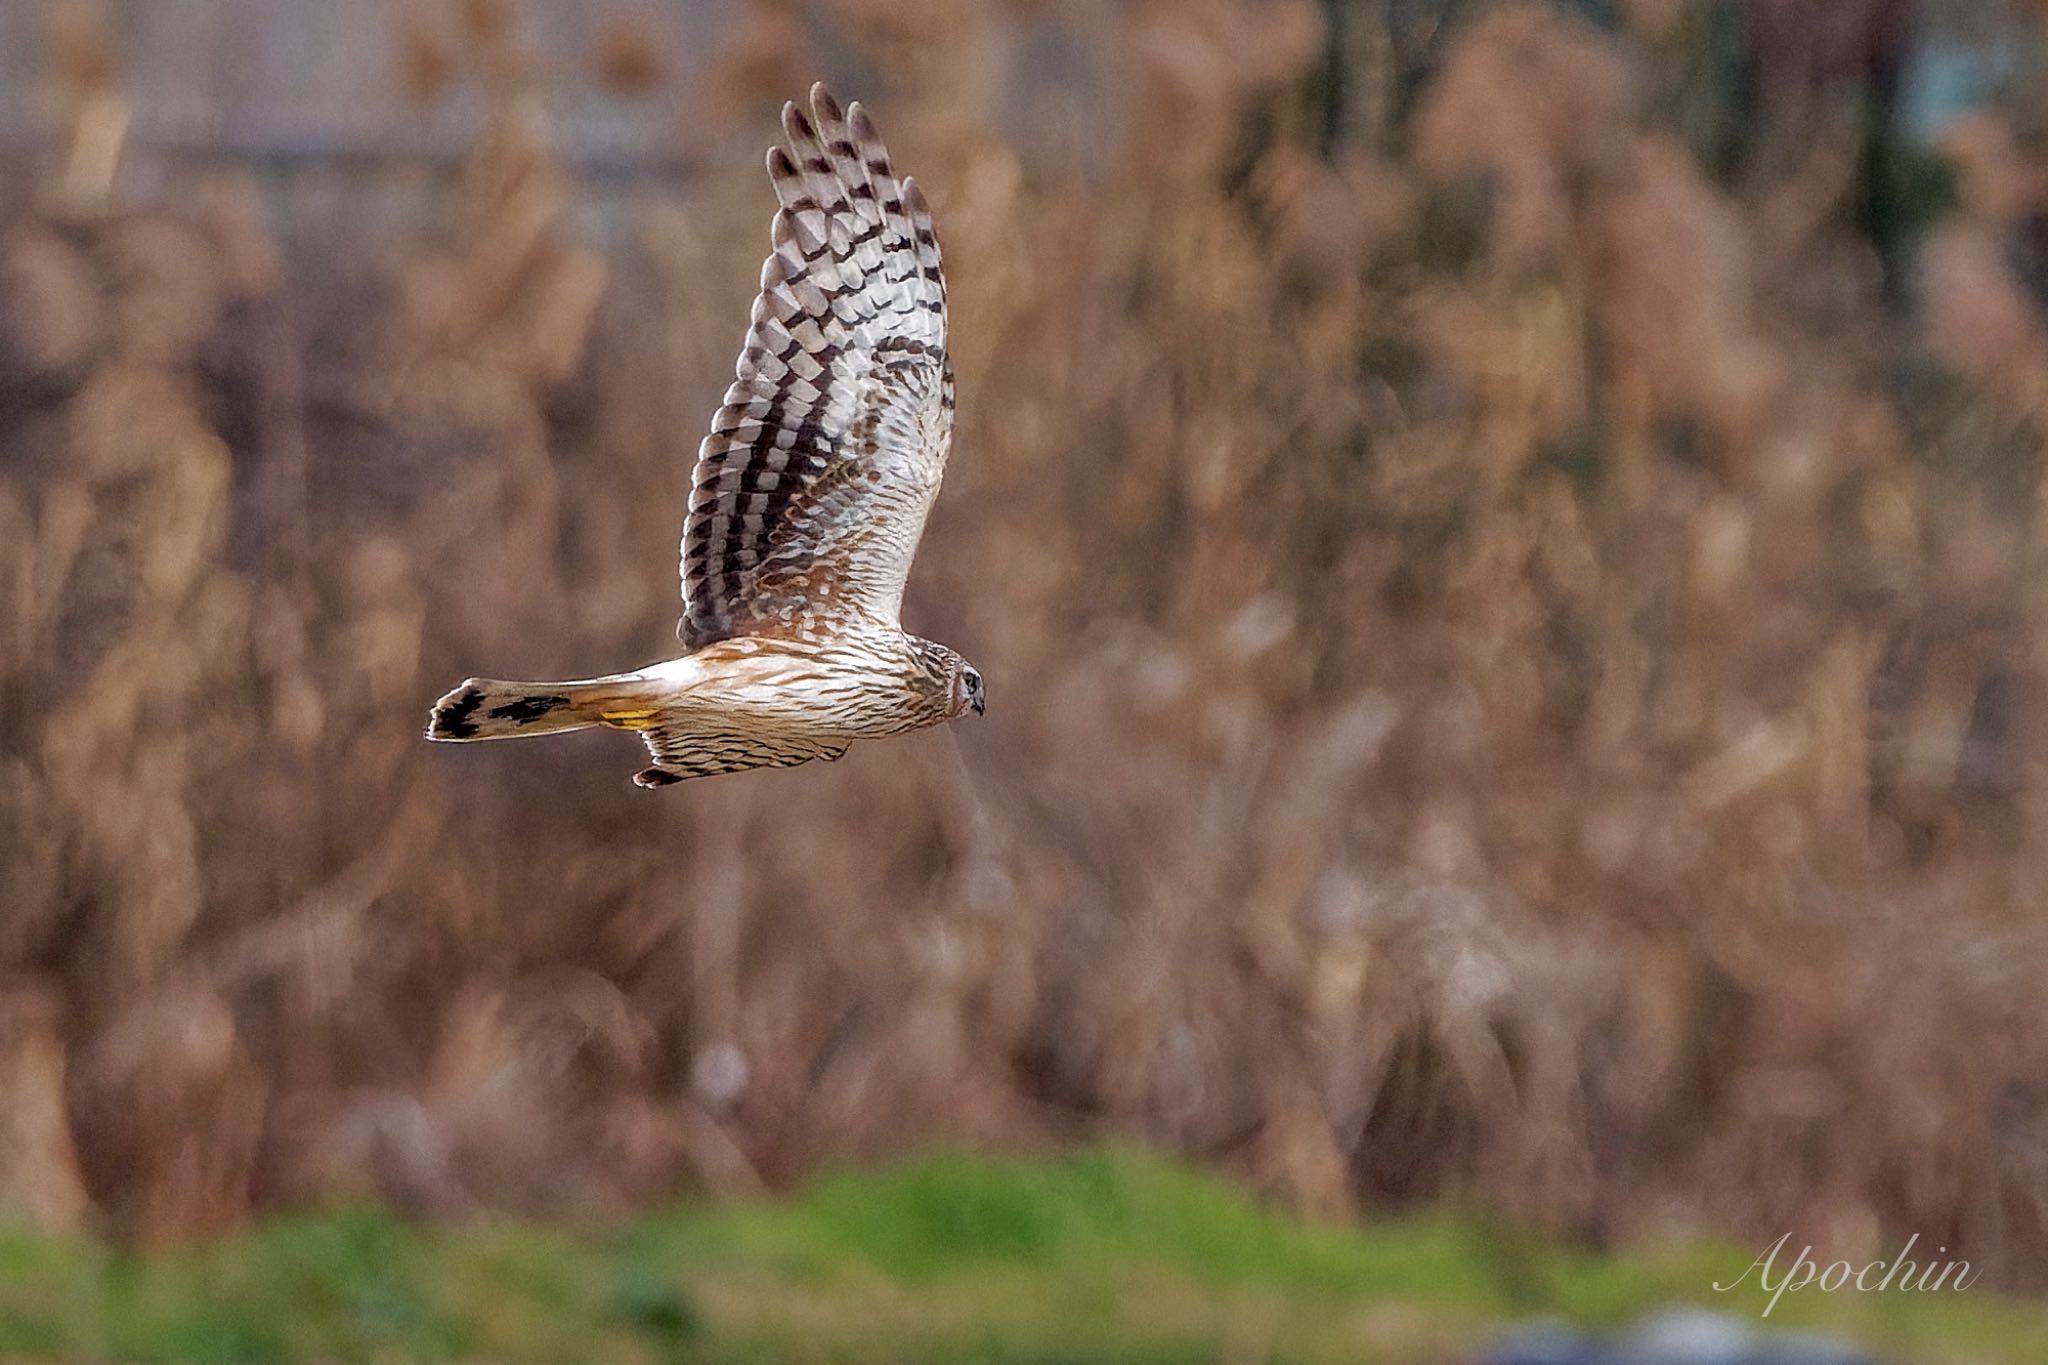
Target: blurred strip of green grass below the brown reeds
(1095, 1258)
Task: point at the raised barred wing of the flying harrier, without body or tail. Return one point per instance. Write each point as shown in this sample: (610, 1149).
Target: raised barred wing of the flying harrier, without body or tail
(814, 484)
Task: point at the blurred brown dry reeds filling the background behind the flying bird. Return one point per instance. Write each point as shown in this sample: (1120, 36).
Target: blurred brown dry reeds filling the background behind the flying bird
(1506, 541)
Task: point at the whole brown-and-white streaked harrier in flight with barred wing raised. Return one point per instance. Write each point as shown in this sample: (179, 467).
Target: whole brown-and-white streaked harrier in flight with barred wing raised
(808, 500)
